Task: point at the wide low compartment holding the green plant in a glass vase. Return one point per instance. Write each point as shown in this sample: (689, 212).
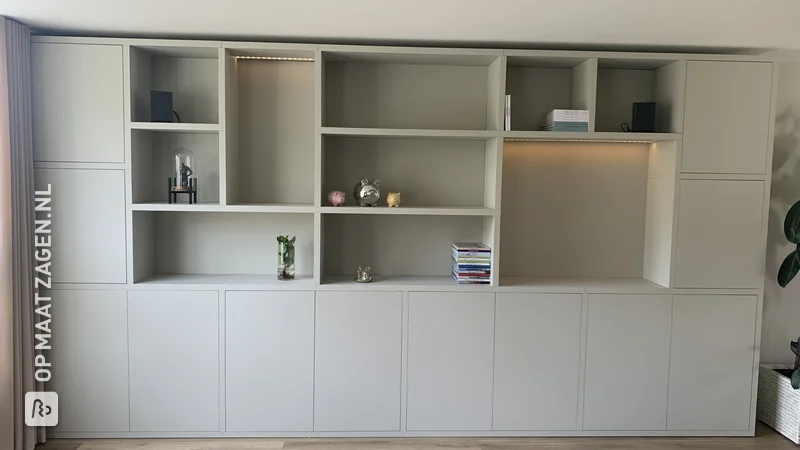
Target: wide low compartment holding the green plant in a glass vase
(172, 246)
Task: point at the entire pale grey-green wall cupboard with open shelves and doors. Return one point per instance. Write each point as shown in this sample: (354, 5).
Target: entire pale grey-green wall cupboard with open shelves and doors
(621, 262)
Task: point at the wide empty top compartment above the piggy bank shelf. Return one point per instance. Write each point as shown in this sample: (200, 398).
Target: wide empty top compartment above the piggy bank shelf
(411, 88)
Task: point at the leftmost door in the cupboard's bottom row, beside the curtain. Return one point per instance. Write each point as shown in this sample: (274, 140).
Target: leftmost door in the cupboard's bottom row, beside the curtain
(90, 360)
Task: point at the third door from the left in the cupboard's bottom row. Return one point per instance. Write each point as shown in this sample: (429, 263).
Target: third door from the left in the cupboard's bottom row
(269, 361)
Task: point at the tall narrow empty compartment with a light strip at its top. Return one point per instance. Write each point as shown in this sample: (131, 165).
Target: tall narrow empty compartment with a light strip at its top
(270, 125)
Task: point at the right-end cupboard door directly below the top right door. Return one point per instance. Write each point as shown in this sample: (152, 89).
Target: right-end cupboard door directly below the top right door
(720, 234)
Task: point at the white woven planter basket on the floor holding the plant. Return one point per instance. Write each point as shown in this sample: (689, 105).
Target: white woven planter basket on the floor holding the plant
(778, 403)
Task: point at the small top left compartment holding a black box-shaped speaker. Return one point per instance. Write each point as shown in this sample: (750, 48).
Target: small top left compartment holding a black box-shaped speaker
(191, 73)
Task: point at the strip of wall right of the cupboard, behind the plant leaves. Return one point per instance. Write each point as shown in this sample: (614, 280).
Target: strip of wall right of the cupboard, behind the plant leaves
(782, 306)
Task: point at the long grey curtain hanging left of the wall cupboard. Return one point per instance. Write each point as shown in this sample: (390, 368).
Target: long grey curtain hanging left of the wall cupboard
(16, 241)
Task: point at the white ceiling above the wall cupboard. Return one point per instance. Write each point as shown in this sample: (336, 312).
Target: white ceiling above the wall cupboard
(689, 25)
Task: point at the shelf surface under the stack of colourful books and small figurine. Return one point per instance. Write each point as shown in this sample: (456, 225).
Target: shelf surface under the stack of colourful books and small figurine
(399, 282)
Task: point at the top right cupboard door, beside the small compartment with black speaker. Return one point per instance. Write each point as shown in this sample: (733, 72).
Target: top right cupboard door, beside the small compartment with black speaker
(727, 117)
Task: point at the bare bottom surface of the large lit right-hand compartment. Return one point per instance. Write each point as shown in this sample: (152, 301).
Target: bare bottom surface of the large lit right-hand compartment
(598, 285)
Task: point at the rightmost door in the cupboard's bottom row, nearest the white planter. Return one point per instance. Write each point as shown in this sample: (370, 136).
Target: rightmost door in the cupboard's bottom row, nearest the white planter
(712, 362)
